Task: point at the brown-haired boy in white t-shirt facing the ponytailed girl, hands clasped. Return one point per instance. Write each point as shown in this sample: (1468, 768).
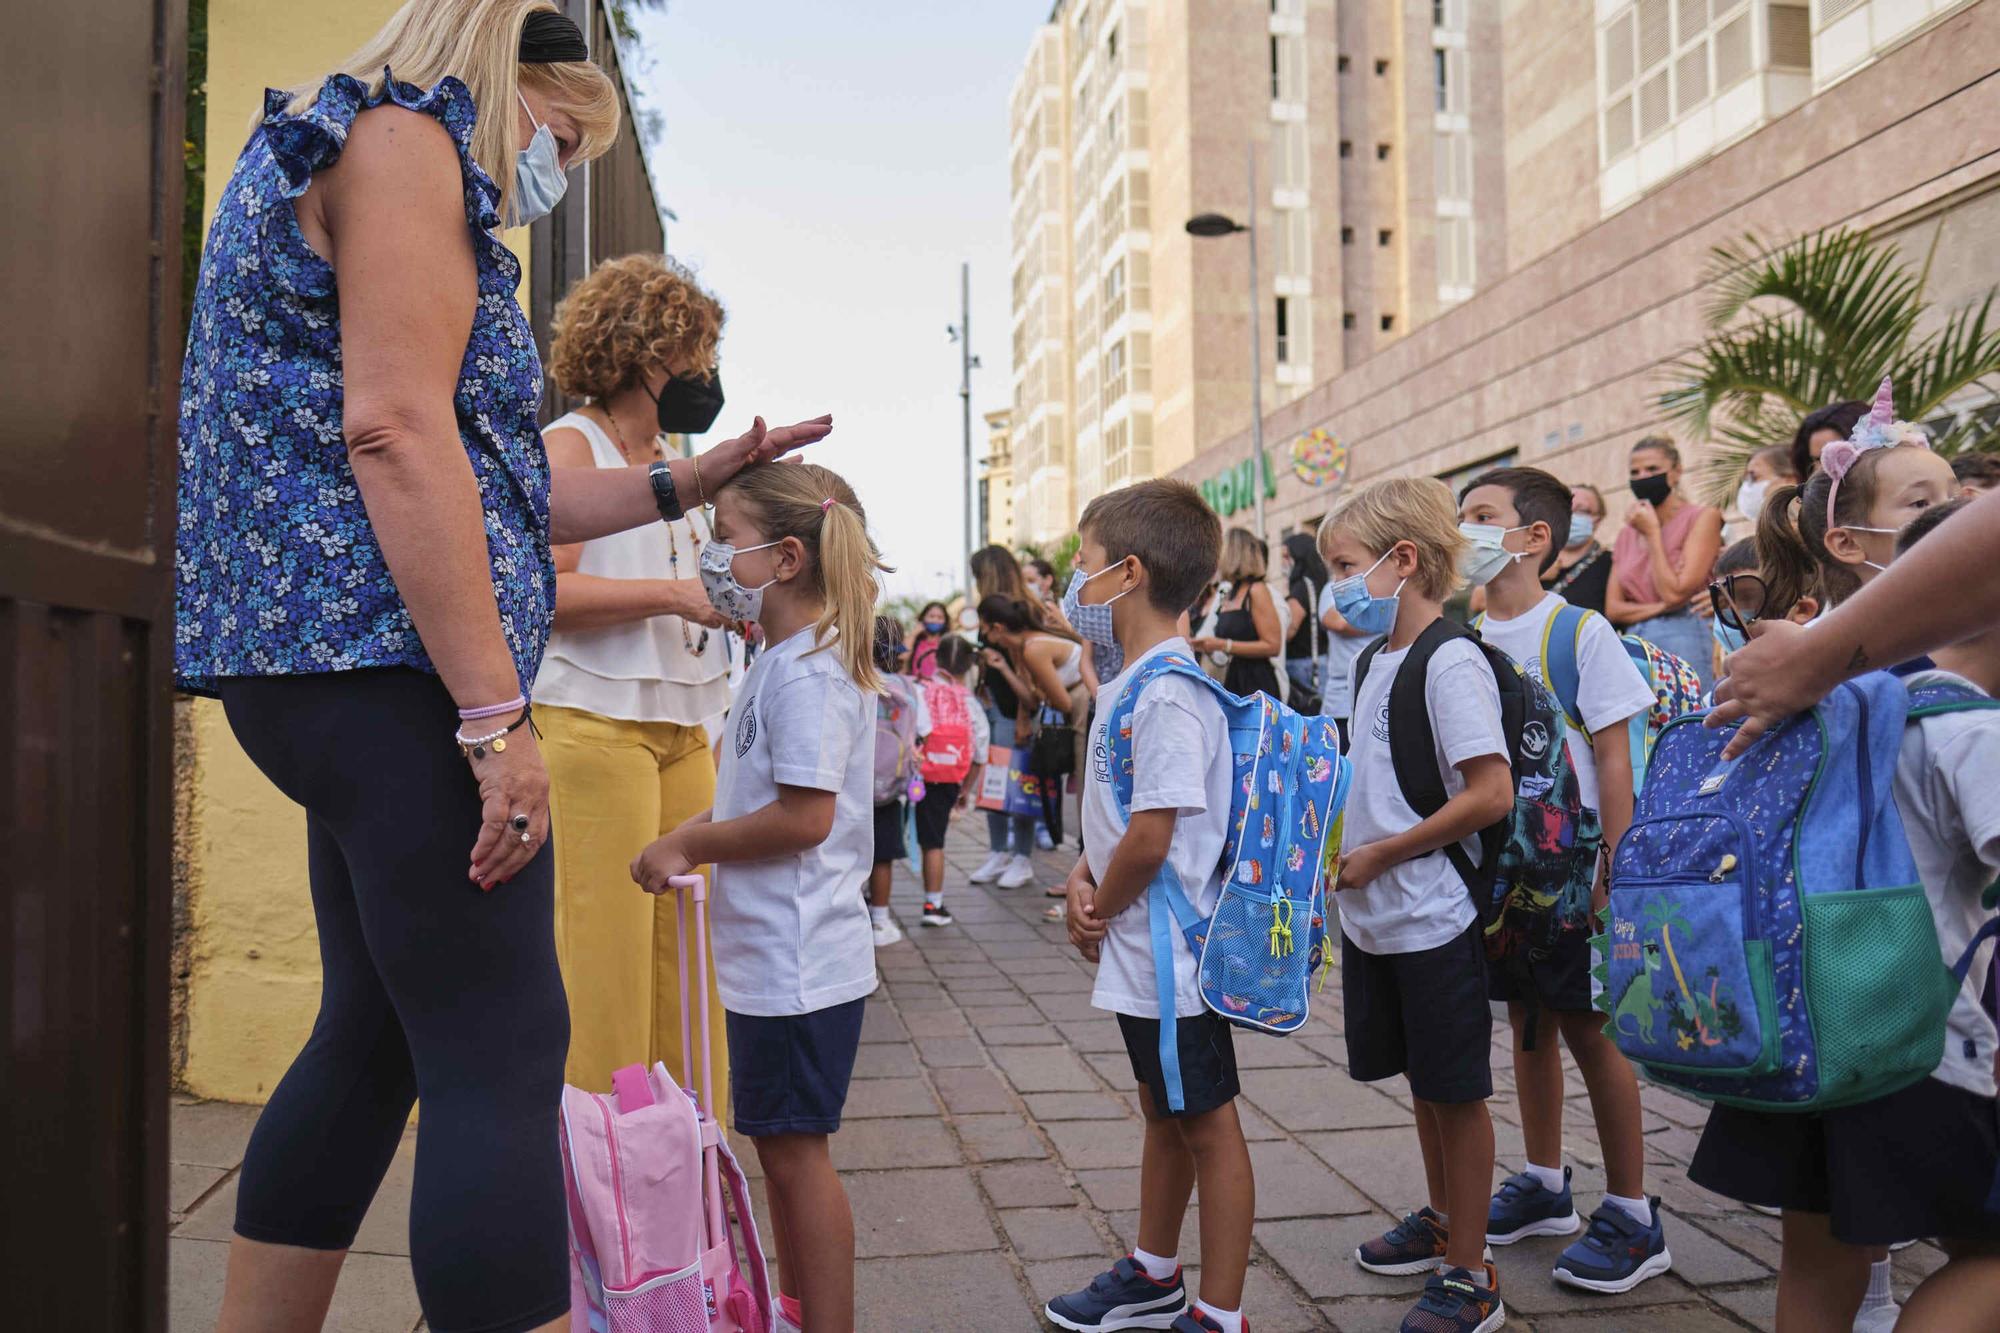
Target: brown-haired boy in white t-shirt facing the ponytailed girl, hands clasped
(1147, 551)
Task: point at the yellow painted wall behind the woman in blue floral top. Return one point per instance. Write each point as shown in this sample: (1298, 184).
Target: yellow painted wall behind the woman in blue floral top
(251, 950)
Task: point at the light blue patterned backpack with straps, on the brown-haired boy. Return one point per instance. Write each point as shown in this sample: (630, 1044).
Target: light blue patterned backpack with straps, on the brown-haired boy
(1289, 790)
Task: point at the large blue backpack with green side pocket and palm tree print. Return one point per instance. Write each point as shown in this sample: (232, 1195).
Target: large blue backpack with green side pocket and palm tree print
(1769, 944)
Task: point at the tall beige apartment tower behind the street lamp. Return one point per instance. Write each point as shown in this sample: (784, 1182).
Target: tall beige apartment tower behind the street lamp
(1381, 201)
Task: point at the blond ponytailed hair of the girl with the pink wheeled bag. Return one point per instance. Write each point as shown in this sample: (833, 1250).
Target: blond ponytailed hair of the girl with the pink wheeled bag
(791, 499)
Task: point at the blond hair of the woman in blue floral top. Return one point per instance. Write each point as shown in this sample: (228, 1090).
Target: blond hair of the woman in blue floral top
(479, 45)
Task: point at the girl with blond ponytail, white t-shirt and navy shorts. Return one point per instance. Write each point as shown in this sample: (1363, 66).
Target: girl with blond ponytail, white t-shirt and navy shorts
(791, 844)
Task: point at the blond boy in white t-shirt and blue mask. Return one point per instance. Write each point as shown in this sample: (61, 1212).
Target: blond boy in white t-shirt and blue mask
(1413, 964)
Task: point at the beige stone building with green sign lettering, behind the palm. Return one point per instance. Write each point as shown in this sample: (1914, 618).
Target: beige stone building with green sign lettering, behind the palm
(1559, 361)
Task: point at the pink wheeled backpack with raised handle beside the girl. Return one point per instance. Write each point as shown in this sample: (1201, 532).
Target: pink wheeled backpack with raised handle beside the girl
(653, 1242)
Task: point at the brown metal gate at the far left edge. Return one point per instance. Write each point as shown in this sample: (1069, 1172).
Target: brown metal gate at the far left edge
(89, 379)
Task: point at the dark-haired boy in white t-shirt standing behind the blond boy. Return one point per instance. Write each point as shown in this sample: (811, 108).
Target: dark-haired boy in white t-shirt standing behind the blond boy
(1515, 517)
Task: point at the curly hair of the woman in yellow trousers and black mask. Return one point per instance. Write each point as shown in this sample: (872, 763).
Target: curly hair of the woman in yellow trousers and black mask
(627, 317)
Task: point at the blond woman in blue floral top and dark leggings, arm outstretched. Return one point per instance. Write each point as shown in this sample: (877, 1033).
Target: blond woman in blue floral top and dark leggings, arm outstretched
(363, 573)
